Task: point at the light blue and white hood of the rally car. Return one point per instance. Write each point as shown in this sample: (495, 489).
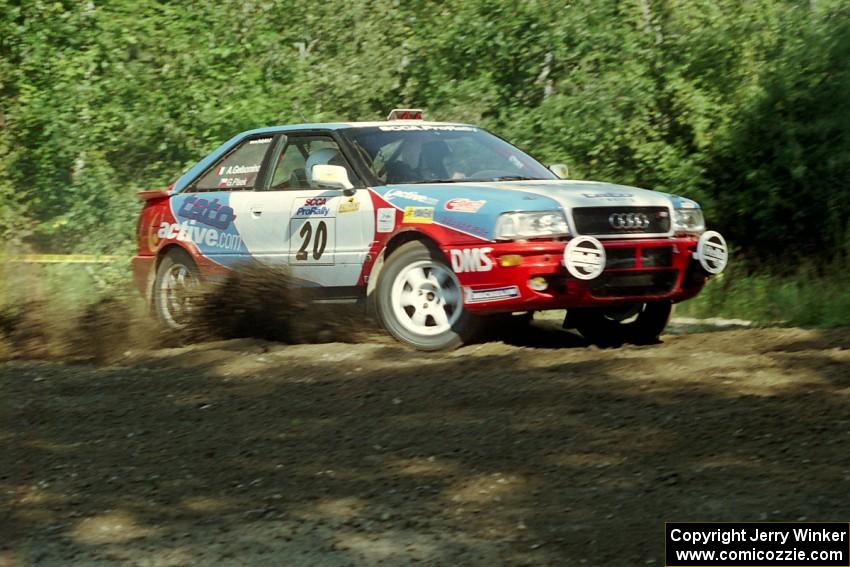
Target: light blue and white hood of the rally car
(474, 207)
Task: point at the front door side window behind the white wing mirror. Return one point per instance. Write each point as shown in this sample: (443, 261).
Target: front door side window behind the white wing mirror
(301, 152)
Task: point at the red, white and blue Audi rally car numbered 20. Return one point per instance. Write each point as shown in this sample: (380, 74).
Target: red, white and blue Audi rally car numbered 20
(438, 226)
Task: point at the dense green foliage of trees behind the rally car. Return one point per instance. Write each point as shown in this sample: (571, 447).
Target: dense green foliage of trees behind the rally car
(741, 105)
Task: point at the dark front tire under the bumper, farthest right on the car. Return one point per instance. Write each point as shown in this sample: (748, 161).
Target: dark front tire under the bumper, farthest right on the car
(639, 324)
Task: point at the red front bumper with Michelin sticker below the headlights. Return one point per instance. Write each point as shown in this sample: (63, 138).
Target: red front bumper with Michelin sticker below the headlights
(657, 269)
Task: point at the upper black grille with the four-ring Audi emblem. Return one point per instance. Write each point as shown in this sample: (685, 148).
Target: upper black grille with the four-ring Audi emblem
(621, 220)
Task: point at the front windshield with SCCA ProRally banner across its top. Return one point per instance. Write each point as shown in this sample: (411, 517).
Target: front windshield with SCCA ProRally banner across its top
(441, 154)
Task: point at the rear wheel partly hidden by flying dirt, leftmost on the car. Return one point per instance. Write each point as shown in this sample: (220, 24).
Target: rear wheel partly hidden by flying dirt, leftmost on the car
(177, 279)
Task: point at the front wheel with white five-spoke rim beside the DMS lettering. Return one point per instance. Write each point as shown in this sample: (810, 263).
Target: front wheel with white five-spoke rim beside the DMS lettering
(419, 300)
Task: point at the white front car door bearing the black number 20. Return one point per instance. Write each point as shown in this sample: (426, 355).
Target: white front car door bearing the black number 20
(323, 235)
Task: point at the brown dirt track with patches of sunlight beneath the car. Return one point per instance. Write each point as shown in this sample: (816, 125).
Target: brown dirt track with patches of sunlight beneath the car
(243, 452)
